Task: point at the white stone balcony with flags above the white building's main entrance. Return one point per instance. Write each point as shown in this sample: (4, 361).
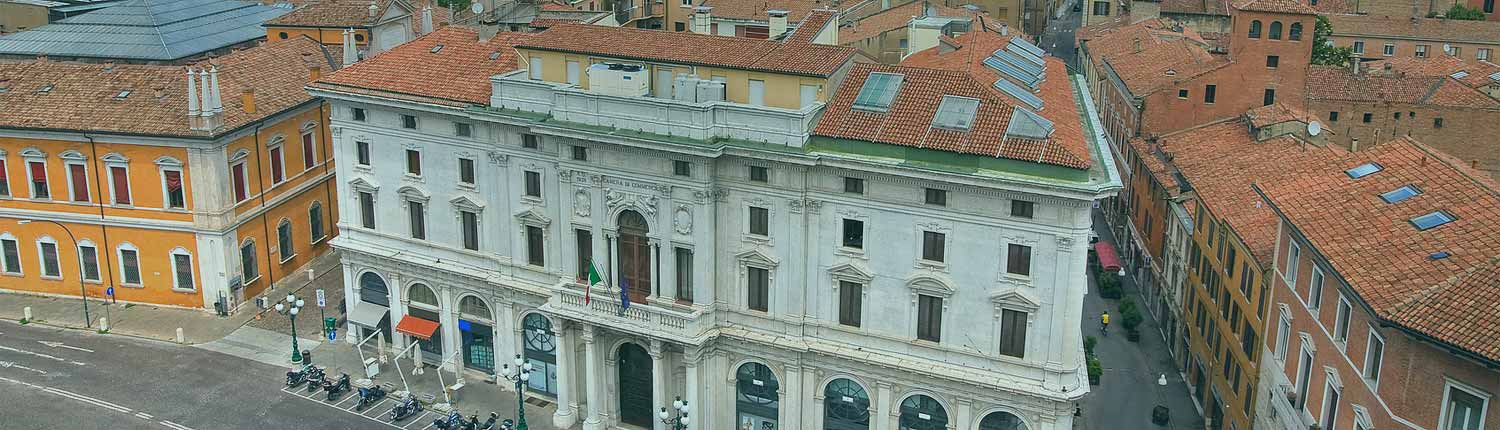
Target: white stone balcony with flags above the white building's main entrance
(640, 318)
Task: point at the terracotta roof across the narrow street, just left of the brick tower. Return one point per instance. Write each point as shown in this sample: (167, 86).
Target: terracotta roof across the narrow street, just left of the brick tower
(1168, 55)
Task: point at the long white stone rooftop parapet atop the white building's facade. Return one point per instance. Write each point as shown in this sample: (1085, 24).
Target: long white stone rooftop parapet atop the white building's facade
(704, 122)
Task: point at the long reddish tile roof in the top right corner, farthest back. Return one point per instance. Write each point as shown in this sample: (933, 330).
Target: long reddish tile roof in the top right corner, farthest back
(1432, 29)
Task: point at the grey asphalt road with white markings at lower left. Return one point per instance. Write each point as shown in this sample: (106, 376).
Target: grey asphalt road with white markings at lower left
(55, 378)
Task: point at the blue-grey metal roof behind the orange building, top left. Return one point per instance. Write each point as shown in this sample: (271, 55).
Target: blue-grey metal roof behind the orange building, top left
(155, 31)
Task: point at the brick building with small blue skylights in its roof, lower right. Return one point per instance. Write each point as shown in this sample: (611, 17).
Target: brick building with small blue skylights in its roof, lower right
(1387, 273)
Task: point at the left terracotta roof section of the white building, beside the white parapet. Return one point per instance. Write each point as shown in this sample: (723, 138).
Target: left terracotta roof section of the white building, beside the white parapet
(457, 76)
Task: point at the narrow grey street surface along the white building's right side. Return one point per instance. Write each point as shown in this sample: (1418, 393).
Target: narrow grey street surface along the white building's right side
(1129, 389)
